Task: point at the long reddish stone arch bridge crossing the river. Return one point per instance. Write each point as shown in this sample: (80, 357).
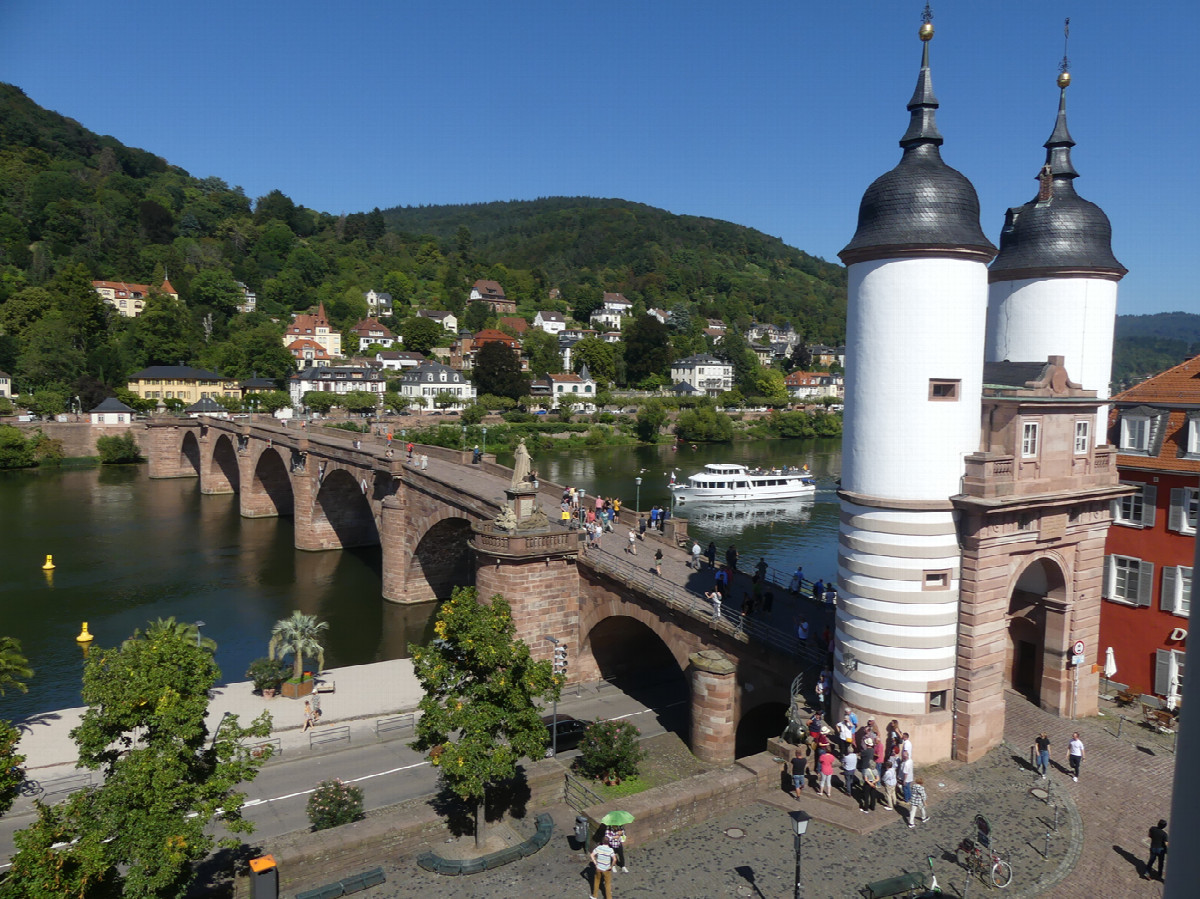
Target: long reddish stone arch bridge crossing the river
(434, 526)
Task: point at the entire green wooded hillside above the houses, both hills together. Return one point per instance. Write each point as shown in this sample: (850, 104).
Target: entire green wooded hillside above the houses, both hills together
(77, 207)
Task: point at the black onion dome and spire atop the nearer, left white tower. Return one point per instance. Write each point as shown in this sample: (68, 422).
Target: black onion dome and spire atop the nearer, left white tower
(922, 207)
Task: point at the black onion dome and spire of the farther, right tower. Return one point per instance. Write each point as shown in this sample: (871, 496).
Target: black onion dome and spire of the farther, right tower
(1058, 233)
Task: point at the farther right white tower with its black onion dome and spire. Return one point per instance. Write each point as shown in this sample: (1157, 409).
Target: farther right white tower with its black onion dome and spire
(1054, 284)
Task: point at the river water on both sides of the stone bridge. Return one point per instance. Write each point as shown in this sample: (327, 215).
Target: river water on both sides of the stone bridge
(129, 549)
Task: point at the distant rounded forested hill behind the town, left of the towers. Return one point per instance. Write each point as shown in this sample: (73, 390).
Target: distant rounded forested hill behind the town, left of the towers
(585, 245)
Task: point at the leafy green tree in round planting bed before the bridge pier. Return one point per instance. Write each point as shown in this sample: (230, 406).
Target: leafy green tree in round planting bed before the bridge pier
(479, 714)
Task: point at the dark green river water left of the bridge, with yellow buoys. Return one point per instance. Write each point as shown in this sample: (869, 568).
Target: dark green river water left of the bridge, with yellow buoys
(129, 550)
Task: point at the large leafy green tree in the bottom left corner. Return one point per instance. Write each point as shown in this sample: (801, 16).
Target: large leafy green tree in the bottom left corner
(165, 780)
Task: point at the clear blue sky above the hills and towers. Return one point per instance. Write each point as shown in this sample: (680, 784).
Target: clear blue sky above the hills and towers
(776, 116)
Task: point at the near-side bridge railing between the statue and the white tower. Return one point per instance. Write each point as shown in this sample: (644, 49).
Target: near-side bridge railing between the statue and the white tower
(697, 606)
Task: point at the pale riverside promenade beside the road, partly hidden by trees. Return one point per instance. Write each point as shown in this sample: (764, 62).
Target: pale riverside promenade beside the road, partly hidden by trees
(362, 694)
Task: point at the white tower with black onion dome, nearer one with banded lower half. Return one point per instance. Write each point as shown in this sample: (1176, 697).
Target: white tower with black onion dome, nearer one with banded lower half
(919, 295)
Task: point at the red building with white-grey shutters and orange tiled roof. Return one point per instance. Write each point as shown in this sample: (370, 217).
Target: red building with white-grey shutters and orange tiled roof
(1150, 549)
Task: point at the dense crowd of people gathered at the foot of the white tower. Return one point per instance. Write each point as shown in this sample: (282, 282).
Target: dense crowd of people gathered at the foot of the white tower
(877, 769)
